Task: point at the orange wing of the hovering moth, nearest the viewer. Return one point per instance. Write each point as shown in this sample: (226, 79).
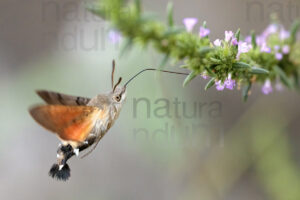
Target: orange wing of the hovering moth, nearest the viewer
(71, 123)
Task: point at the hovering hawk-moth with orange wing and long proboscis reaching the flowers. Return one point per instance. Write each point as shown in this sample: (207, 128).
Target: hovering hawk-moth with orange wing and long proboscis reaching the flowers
(80, 122)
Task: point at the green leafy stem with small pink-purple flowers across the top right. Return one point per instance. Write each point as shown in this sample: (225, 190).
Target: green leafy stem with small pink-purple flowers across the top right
(270, 58)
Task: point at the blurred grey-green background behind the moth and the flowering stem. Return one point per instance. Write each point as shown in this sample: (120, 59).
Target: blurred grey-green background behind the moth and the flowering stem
(169, 142)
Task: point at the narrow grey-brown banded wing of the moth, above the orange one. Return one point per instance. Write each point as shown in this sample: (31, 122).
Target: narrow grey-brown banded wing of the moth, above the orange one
(55, 98)
